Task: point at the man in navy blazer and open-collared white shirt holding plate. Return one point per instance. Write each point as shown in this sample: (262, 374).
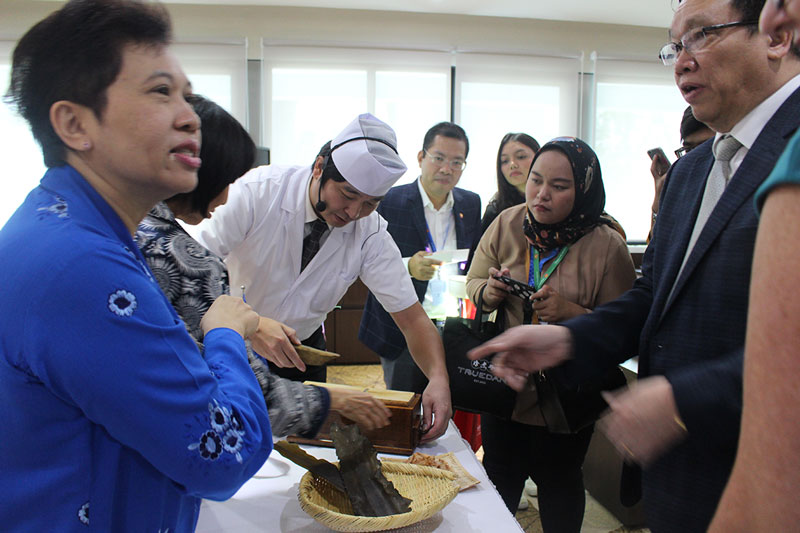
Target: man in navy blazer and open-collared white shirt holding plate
(425, 217)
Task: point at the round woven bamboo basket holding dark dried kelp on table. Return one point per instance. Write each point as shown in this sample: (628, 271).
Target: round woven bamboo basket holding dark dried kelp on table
(429, 489)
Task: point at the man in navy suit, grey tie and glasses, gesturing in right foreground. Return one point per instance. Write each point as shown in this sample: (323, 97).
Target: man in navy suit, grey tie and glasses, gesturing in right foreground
(686, 316)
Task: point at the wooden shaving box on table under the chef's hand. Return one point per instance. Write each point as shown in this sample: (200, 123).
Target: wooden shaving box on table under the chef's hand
(402, 434)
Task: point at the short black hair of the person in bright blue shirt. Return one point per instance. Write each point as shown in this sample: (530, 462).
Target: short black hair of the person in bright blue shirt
(75, 54)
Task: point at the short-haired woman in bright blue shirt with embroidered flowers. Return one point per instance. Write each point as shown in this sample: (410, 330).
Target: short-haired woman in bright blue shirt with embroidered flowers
(113, 421)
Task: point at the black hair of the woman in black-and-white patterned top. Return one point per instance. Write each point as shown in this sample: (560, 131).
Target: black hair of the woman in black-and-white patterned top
(227, 152)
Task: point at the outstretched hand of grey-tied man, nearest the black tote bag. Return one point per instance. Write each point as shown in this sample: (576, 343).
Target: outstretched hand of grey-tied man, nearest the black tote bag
(524, 349)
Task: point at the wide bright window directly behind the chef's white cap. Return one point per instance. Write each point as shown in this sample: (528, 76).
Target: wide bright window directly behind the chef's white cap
(312, 93)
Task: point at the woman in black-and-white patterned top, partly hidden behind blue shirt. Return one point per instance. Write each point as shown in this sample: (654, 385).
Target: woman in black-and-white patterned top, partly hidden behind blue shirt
(192, 277)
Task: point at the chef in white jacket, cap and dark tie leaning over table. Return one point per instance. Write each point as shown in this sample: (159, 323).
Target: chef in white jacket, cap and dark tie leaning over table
(268, 229)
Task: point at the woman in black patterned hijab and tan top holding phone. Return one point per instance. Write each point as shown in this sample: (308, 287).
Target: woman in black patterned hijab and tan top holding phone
(560, 242)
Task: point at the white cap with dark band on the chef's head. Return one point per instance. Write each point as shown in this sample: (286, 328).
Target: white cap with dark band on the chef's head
(370, 166)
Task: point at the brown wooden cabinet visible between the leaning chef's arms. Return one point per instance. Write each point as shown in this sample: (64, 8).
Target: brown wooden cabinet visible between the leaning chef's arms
(341, 328)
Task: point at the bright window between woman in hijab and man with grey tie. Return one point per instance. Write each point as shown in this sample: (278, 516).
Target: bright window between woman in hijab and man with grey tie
(638, 108)
